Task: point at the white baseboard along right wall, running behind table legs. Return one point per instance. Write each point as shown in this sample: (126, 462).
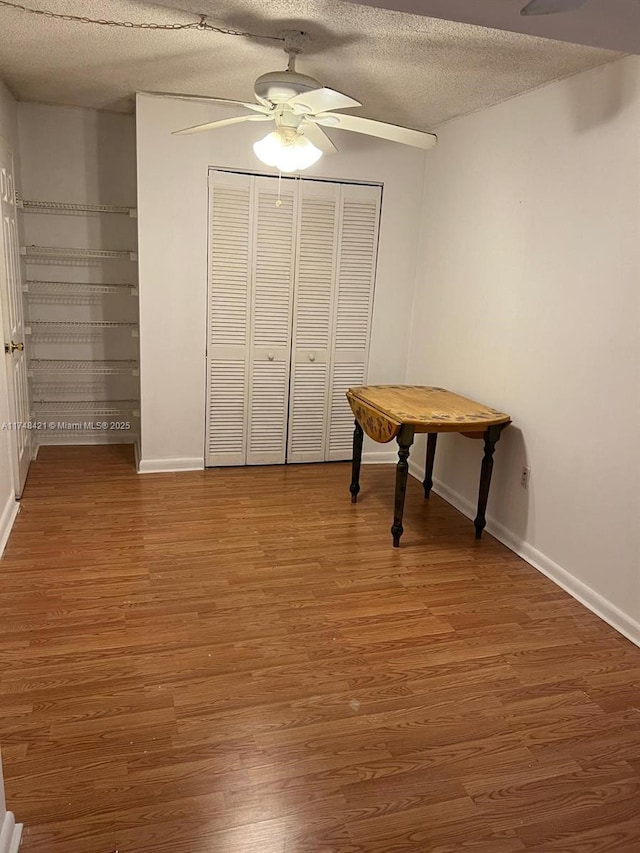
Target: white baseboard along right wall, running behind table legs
(612, 615)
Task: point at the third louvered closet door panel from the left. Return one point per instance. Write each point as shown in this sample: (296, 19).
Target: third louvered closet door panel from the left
(317, 236)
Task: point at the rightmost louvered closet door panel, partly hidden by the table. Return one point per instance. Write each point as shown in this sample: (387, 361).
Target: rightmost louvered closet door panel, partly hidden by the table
(359, 218)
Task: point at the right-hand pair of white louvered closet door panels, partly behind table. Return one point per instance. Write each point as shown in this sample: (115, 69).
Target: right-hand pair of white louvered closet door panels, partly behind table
(337, 245)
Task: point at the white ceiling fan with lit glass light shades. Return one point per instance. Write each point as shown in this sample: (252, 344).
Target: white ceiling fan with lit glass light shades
(300, 107)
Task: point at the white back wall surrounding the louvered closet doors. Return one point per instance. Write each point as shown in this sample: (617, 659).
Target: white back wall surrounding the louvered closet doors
(172, 238)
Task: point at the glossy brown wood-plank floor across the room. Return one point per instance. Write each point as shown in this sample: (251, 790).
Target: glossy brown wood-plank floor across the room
(237, 661)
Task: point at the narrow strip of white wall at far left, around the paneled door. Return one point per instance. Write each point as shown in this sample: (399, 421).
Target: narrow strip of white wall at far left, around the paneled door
(8, 504)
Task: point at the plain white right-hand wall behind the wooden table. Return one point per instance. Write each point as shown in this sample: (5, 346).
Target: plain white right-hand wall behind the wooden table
(529, 300)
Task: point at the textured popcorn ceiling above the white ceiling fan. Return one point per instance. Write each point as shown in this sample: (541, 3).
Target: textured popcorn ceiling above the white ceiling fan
(406, 69)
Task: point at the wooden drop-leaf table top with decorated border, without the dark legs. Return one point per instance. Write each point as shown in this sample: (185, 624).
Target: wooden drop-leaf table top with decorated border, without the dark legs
(427, 409)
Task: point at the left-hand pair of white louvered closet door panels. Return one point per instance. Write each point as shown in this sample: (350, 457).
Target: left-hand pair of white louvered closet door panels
(251, 268)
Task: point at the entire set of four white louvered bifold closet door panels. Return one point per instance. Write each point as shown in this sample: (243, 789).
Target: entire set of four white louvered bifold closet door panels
(291, 276)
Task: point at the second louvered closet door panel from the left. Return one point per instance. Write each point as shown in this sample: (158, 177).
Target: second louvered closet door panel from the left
(274, 235)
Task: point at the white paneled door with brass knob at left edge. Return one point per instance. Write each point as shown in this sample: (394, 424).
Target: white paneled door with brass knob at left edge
(13, 324)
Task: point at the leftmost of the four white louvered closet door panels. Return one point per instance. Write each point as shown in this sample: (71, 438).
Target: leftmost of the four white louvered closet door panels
(230, 269)
